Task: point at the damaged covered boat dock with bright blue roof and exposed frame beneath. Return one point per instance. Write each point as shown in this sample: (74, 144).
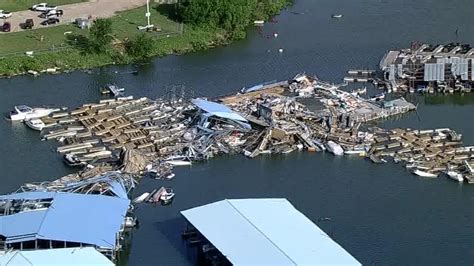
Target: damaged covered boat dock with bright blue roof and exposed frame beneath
(47, 220)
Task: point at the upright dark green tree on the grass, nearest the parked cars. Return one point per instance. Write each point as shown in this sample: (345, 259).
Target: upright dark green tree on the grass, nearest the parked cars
(100, 35)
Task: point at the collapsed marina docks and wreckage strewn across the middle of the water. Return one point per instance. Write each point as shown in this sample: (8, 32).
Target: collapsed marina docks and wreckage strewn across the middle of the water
(265, 119)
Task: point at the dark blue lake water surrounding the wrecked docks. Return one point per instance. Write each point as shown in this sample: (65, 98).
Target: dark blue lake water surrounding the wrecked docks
(381, 214)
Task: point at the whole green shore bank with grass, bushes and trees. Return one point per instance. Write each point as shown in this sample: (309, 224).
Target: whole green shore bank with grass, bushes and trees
(117, 40)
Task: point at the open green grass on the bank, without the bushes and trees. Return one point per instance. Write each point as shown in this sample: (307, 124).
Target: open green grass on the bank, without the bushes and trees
(53, 48)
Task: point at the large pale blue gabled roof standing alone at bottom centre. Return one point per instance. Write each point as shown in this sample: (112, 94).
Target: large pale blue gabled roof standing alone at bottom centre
(265, 231)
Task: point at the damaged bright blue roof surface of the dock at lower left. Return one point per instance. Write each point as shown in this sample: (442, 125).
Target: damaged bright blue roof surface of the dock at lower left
(71, 217)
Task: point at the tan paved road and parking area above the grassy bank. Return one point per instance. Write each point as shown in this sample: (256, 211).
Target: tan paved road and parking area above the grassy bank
(94, 8)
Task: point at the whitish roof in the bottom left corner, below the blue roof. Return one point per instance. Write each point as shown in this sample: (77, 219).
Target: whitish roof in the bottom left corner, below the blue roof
(63, 256)
